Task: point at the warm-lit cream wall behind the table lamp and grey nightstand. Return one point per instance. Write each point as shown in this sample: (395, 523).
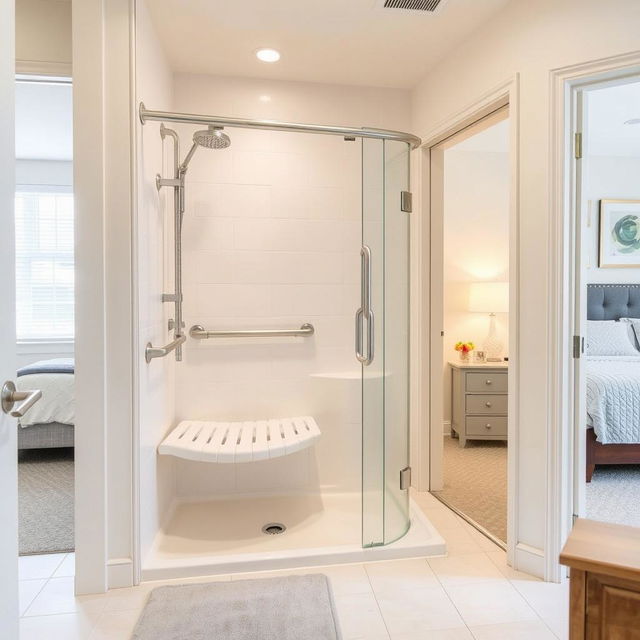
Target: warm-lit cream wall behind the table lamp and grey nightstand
(476, 246)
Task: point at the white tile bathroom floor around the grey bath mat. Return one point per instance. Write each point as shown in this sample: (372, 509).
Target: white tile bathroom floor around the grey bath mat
(471, 593)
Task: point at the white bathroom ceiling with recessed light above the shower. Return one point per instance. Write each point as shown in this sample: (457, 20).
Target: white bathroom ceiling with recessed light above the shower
(333, 41)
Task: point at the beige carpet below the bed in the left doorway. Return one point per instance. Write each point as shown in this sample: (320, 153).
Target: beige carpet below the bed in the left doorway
(45, 500)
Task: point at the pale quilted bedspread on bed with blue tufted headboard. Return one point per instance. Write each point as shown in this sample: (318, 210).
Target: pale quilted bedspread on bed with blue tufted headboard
(613, 398)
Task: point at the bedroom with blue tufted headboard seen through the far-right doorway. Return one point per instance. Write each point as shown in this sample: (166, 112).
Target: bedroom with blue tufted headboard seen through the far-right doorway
(607, 305)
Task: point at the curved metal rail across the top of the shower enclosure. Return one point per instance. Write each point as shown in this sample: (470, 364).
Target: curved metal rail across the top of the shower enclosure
(273, 125)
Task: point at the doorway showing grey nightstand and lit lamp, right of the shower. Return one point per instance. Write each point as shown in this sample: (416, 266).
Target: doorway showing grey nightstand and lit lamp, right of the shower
(470, 205)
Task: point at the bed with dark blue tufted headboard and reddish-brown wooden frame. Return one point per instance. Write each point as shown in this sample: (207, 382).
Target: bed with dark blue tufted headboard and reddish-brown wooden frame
(613, 383)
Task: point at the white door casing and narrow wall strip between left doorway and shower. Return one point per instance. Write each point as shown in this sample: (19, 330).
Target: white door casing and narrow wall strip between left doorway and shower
(103, 50)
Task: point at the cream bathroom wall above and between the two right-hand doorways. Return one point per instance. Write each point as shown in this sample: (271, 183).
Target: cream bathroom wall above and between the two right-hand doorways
(529, 39)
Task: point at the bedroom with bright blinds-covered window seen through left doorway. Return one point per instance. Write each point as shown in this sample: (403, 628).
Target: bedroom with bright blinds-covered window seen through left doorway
(44, 259)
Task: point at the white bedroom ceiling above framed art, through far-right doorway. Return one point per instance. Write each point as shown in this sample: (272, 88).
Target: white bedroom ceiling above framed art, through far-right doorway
(607, 111)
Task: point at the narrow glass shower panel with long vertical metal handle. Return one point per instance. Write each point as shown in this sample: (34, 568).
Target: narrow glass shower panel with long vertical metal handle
(370, 345)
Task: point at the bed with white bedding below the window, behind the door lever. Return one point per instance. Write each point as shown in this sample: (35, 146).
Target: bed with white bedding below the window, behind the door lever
(50, 422)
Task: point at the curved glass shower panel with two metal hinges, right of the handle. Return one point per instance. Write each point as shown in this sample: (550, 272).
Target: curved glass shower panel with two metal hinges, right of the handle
(396, 339)
